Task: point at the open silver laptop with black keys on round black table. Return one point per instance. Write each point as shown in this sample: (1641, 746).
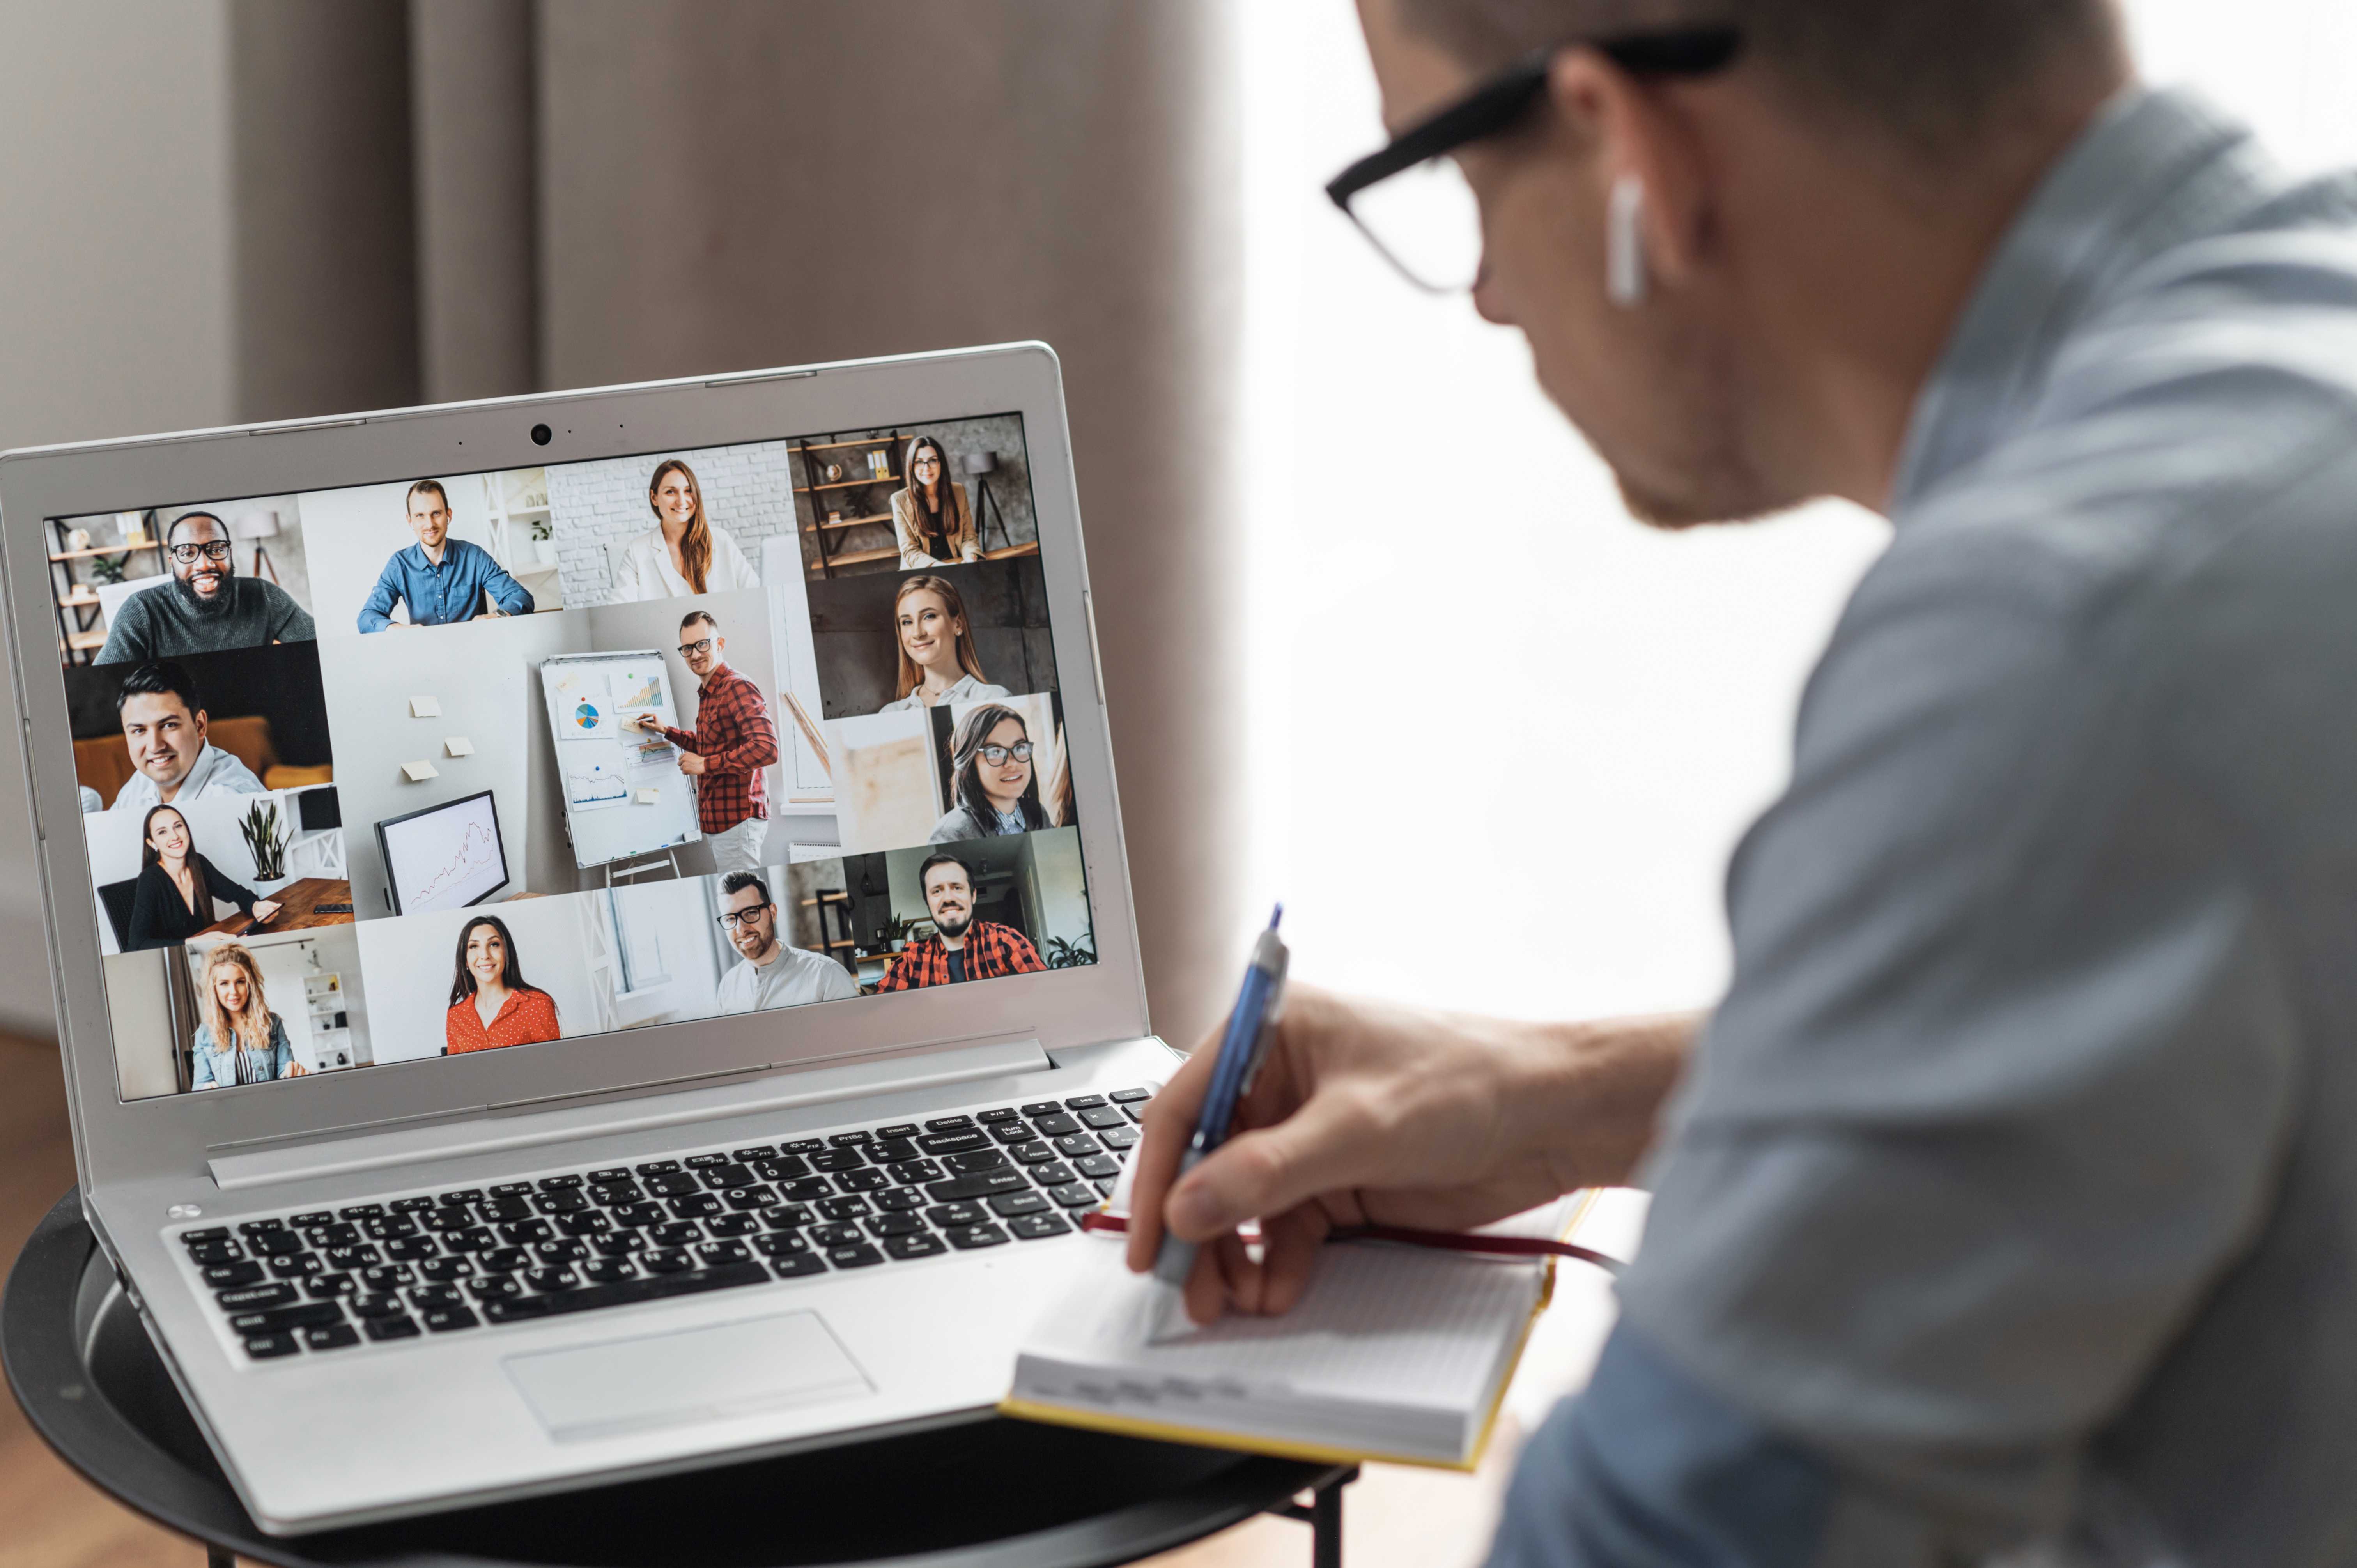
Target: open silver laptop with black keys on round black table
(590, 933)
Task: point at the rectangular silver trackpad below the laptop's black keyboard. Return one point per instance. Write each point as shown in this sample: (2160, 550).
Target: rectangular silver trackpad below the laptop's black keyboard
(689, 1376)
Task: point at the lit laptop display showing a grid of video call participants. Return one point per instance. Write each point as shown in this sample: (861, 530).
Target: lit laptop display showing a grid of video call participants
(470, 763)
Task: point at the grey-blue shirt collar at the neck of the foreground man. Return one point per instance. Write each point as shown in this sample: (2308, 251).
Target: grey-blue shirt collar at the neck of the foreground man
(2151, 173)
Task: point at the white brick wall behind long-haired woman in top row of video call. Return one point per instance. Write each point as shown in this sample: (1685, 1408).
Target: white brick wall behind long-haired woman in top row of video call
(748, 494)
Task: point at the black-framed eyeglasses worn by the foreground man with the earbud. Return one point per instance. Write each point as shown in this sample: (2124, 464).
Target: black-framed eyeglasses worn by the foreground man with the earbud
(1413, 202)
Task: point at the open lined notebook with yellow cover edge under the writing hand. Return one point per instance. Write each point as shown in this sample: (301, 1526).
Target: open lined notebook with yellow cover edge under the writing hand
(1394, 1355)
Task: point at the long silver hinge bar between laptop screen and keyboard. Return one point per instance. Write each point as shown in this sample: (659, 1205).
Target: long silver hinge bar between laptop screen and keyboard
(777, 1093)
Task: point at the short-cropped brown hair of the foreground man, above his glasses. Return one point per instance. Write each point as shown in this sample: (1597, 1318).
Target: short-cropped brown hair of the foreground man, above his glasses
(1932, 72)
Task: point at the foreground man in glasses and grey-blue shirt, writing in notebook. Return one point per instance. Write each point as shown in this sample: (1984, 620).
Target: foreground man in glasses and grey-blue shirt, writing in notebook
(2005, 1211)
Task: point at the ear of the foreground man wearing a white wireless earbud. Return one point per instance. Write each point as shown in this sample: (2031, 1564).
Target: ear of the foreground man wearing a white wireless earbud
(1637, 133)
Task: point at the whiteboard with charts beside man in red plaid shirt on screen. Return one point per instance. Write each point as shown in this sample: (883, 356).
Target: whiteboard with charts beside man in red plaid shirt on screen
(623, 789)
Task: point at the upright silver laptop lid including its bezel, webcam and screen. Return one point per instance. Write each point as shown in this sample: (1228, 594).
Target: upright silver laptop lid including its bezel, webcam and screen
(388, 673)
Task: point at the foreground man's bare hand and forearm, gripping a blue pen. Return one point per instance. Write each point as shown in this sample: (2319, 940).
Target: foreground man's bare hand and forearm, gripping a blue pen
(1373, 1114)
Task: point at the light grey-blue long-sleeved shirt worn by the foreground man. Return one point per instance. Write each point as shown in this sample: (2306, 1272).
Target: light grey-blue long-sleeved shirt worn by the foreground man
(2012, 1197)
